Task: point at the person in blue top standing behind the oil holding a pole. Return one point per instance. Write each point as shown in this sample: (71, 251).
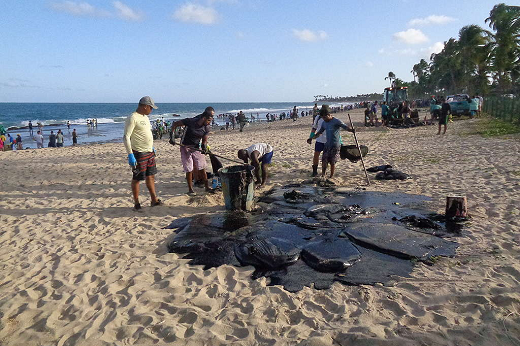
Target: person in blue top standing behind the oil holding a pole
(331, 126)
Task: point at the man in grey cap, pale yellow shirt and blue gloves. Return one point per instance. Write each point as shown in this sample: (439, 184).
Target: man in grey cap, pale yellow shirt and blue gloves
(138, 140)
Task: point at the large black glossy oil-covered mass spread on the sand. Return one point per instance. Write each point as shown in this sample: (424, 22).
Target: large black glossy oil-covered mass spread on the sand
(309, 235)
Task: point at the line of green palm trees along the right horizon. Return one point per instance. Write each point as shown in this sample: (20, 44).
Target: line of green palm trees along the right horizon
(480, 61)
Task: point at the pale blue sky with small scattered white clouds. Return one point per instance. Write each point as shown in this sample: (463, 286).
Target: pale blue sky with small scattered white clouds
(218, 50)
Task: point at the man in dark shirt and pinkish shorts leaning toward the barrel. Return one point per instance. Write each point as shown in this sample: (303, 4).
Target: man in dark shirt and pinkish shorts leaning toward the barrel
(195, 137)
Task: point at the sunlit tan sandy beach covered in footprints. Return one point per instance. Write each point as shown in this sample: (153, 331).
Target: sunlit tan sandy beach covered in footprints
(80, 267)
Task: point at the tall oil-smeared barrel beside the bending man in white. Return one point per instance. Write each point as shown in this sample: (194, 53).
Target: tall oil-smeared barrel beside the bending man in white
(238, 187)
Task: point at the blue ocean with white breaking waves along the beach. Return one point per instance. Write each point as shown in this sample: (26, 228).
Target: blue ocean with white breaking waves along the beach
(15, 117)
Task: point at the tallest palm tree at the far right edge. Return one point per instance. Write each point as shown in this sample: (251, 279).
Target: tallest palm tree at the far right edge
(505, 21)
